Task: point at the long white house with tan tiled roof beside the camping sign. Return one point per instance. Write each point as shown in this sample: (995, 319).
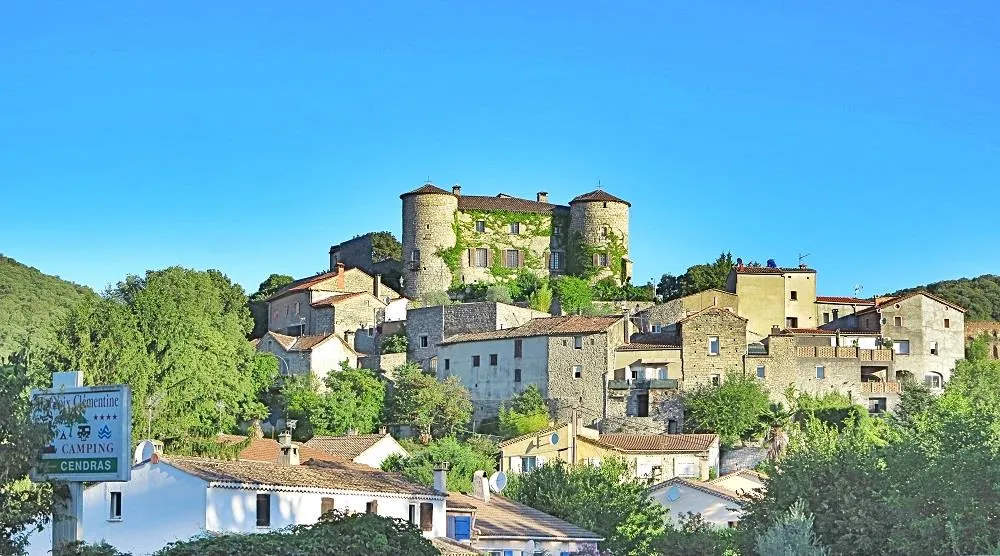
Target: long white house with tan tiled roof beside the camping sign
(172, 498)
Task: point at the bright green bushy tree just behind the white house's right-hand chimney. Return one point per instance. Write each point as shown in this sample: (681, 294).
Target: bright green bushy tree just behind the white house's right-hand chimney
(465, 458)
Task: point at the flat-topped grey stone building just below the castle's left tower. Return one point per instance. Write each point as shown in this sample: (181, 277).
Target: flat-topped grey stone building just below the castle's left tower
(426, 327)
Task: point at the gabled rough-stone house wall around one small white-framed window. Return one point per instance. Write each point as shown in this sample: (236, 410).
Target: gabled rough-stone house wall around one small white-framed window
(699, 365)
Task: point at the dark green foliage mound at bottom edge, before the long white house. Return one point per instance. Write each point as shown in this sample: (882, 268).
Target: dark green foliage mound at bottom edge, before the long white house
(359, 533)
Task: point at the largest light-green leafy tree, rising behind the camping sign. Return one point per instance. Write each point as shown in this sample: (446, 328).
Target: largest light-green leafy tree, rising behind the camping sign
(177, 337)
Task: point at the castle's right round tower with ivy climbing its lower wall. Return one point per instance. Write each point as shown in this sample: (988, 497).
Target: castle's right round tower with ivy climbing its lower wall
(599, 221)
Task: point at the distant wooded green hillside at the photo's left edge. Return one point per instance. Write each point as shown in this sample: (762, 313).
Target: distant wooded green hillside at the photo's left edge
(32, 303)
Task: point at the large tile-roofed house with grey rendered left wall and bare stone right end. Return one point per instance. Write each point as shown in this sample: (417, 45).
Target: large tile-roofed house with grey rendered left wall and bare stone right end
(568, 358)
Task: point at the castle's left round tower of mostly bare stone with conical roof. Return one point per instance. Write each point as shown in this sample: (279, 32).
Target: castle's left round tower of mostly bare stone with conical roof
(428, 219)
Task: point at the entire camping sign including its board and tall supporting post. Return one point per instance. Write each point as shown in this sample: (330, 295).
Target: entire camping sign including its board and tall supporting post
(93, 448)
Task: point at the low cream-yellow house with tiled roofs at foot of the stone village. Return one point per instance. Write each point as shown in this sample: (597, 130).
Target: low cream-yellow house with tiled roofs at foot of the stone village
(653, 457)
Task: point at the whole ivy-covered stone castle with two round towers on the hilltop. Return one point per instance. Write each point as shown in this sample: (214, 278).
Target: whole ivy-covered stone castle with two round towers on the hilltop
(450, 239)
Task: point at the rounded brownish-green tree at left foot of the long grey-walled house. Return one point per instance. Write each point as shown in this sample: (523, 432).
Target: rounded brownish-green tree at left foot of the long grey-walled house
(419, 399)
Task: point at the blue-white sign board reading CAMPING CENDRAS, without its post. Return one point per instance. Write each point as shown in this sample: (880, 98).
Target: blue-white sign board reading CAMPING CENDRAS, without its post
(93, 446)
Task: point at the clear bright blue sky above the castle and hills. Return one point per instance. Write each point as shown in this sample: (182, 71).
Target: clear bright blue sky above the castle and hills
(250, 136)
